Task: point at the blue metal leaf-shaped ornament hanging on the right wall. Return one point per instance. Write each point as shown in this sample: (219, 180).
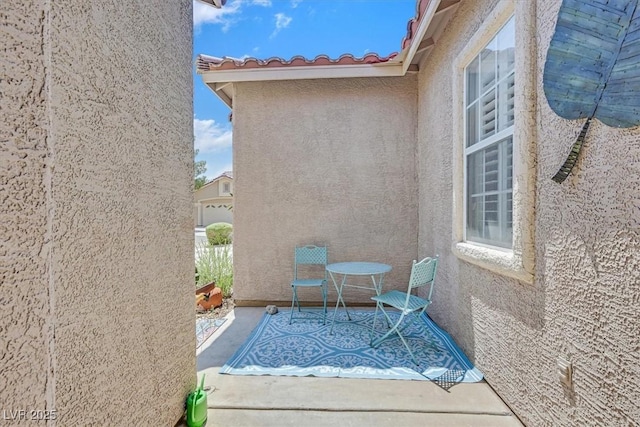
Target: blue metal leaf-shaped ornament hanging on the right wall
(593, 67)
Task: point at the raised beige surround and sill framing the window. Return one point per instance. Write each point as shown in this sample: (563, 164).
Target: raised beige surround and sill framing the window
(518, 262)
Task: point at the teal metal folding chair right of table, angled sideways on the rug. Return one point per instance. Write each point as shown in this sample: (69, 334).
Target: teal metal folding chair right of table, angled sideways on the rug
(423, 274)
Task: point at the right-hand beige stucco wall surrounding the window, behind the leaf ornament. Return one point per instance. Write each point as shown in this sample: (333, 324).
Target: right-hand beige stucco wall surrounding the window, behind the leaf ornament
(585, 299)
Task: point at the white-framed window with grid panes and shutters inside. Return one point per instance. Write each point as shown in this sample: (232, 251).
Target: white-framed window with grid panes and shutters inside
(488, 143)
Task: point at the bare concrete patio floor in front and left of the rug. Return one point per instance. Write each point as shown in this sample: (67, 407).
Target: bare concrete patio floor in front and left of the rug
(287, 401)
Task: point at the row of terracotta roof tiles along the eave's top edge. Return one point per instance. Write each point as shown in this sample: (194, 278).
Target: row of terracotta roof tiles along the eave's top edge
(212, 63)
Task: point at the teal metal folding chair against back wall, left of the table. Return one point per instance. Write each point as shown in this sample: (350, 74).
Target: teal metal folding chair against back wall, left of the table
(309, 255)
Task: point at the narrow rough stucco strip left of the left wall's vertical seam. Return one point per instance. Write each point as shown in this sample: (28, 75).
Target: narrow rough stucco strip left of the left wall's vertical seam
(26, 330)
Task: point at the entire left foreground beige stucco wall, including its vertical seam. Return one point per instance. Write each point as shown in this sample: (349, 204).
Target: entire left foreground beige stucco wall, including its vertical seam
(95, 181)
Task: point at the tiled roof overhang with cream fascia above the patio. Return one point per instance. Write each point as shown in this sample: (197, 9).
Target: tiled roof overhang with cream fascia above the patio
(423, 31)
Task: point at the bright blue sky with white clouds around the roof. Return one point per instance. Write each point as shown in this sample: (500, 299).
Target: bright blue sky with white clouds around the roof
(283, 28)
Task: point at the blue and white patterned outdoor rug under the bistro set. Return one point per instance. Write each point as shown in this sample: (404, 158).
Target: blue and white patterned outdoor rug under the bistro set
(305, 348)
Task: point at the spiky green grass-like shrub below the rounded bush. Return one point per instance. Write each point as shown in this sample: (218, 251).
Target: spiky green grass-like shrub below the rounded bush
(215, 264)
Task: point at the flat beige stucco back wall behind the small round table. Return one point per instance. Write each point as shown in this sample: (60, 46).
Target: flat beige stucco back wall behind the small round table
(335, 166)
